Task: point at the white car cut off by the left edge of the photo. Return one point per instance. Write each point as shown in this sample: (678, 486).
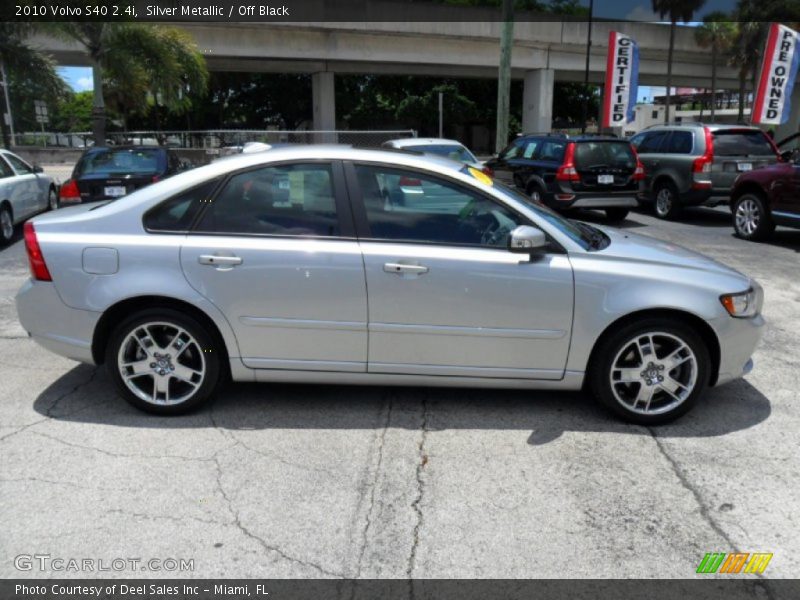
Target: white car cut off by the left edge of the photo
(24, 191)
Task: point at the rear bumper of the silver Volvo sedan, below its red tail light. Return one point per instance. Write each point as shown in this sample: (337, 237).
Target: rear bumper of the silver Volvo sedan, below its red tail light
(54, 325)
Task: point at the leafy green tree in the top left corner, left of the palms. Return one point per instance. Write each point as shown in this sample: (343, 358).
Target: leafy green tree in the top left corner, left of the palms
(31, 75)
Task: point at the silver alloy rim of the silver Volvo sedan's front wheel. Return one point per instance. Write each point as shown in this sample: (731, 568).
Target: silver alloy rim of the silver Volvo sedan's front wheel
(653, 373)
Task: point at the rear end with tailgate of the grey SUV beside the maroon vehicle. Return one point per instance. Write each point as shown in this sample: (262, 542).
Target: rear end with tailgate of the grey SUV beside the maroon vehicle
(737, 151)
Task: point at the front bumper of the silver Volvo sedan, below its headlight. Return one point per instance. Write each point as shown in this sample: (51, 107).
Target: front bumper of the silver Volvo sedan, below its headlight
(738, 339)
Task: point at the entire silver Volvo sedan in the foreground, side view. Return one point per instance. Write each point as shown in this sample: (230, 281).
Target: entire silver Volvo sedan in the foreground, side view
(336, 265)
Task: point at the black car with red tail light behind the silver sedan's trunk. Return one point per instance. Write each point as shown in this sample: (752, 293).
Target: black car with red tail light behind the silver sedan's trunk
(107, 173)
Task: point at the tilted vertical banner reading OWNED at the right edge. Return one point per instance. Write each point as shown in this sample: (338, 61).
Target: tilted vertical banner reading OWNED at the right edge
(772, 103)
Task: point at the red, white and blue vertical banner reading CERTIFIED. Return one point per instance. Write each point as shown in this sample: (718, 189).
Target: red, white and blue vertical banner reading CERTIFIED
(622, 80)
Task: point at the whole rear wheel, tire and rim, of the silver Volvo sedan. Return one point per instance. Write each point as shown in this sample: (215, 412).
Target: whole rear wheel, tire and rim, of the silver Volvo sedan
(159, 388)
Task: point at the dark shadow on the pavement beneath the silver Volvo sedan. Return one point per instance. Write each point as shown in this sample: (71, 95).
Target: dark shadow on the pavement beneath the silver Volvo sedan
(86, 395)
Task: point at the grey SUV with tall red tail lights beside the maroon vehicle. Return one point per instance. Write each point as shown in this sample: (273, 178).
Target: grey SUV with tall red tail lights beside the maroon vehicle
(694, 164)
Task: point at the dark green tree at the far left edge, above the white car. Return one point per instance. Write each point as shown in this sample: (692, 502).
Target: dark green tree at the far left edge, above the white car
(17, 56)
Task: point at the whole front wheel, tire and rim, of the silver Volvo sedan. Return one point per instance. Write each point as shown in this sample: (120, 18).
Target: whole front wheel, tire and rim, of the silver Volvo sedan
(625, 353)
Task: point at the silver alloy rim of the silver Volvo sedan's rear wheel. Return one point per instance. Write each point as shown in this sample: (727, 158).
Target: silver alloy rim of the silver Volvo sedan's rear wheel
(161, 363)
